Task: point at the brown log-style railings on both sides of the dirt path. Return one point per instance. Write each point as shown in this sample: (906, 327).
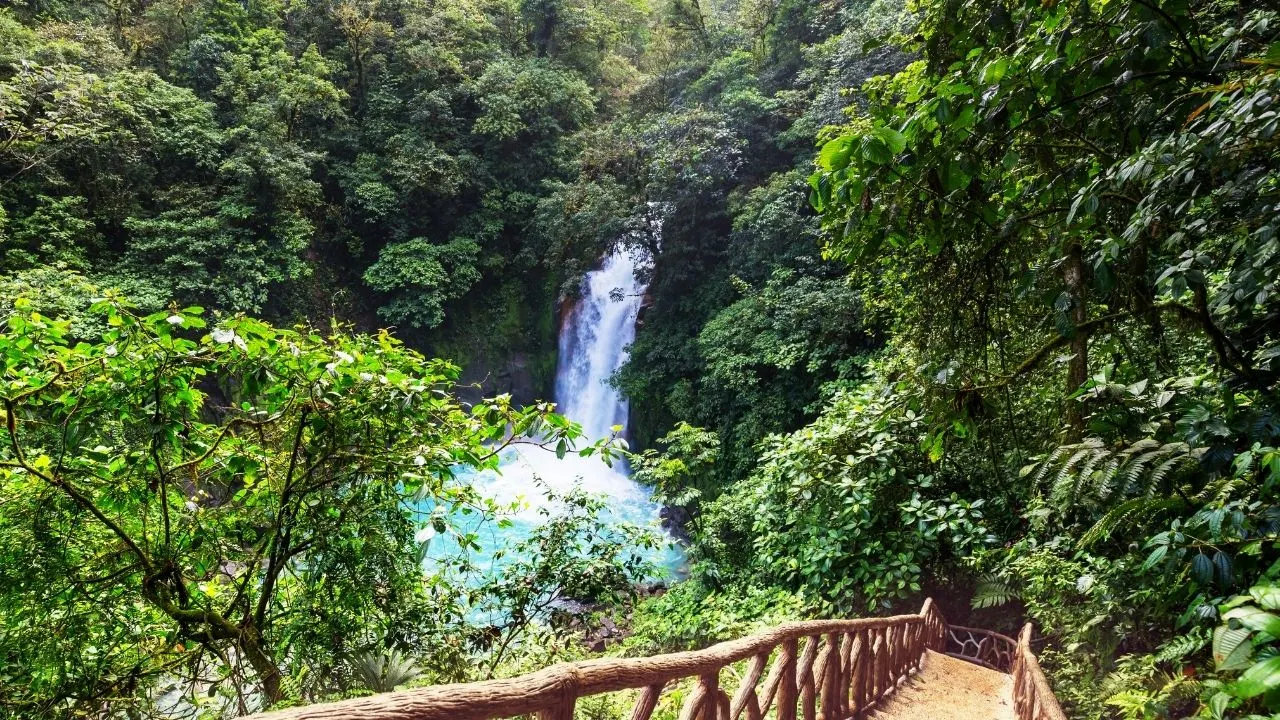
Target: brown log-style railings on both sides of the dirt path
(820, 669)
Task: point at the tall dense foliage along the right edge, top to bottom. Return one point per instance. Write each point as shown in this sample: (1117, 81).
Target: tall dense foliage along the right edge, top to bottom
(1069, 211)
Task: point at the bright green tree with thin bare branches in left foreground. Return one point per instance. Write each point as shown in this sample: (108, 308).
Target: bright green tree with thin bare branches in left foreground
(207, 503)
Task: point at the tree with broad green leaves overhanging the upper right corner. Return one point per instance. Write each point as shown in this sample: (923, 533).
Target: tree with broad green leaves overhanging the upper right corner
(950, 174)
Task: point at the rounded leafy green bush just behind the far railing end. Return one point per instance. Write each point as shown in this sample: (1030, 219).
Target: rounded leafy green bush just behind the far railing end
(848, 511)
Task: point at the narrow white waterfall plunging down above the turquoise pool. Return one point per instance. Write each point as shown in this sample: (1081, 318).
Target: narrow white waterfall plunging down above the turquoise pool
(593, 344)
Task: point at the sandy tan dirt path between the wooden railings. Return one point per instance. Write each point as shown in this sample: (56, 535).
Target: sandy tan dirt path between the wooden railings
(952, 689)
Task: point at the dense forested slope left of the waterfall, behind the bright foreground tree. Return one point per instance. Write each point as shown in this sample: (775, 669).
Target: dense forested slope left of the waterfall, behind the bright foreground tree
(372, 160)
